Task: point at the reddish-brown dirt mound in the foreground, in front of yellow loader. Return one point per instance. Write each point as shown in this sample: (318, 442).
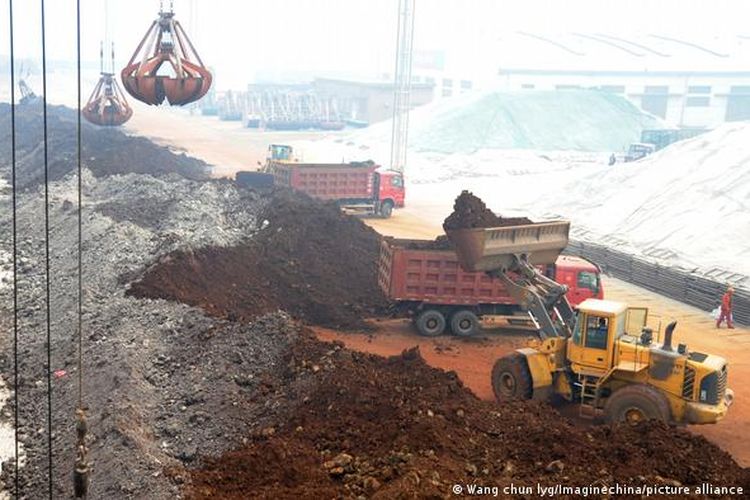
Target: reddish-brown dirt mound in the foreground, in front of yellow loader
(395, 428)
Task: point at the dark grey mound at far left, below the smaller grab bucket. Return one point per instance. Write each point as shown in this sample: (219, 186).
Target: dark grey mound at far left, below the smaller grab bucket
(103, 149)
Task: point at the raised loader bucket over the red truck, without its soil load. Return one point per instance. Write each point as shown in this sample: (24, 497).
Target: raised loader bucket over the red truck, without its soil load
(493, 248)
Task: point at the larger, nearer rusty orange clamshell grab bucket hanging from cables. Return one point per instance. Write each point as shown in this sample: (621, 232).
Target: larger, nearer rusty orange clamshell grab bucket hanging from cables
(165, 48)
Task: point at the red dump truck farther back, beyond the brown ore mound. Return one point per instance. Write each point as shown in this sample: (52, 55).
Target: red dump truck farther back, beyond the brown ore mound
(359, 187)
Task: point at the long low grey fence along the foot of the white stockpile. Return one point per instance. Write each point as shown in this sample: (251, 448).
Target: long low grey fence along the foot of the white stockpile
(679, 284)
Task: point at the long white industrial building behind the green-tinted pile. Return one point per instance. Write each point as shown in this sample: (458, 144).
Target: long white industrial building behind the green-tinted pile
(687, 82)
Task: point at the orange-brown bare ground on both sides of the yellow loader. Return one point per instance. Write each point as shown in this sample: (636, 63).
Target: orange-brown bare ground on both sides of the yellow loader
(472, 359)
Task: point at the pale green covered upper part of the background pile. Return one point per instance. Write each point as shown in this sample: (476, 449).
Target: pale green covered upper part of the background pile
(569, 120)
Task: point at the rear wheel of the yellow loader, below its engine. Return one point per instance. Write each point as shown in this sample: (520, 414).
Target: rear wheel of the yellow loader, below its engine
(633, 404)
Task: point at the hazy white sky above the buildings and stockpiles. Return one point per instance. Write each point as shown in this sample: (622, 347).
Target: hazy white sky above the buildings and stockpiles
(240, 38)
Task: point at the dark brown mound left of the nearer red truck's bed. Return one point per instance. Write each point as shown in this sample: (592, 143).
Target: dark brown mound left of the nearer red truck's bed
(308, 259)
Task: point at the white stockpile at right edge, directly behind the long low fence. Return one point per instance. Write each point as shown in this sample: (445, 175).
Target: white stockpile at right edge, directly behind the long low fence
(691, 199)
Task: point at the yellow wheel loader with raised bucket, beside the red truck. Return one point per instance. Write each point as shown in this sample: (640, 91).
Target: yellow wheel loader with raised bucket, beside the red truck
(601, 356)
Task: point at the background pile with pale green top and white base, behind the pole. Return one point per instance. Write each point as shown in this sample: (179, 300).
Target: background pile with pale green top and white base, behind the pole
(497, 133)
